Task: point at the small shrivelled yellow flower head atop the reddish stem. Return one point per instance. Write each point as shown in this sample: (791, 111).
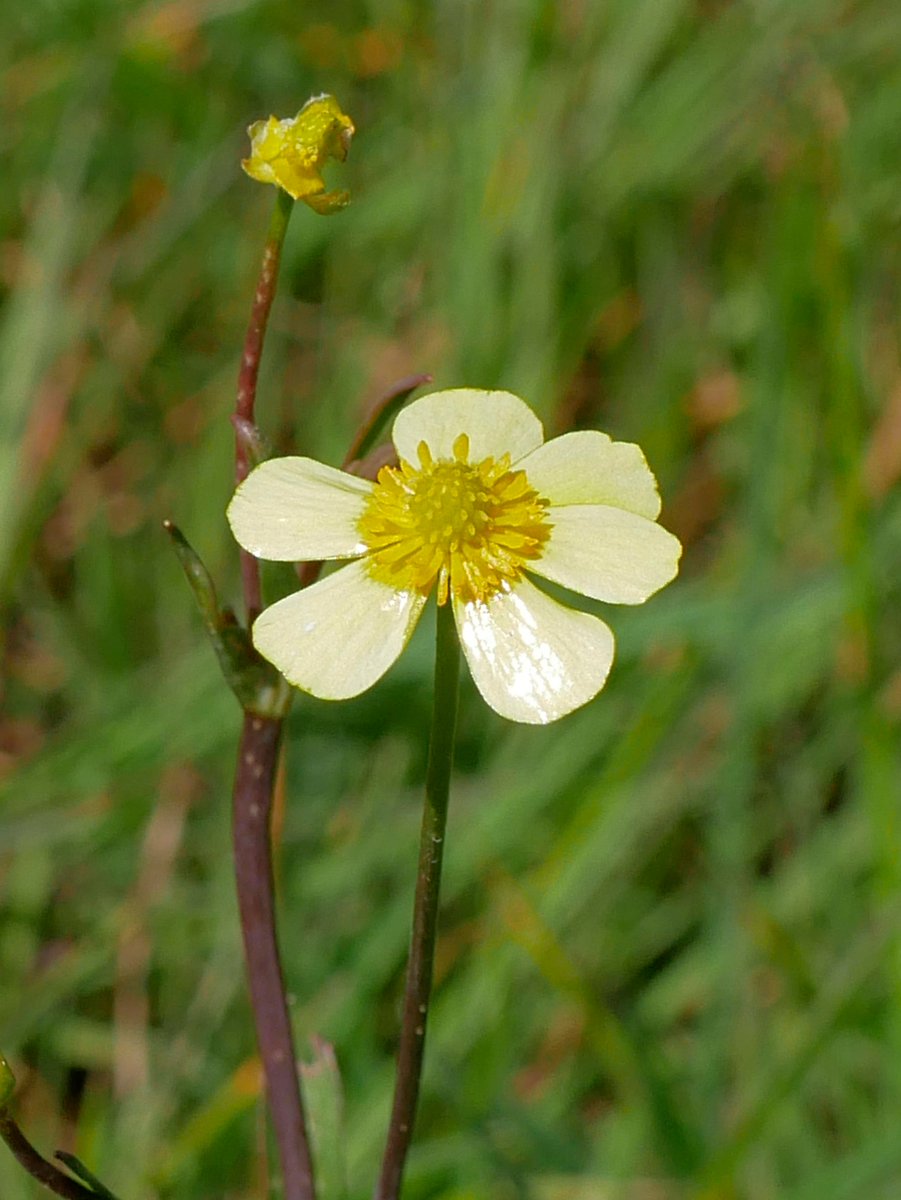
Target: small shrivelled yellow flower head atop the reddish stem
(292, 153)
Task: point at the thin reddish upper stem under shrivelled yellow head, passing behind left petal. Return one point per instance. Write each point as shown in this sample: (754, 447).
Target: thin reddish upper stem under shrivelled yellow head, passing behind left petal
(249, 374)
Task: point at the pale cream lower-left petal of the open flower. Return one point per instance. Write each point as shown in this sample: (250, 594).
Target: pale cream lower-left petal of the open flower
(338, 638)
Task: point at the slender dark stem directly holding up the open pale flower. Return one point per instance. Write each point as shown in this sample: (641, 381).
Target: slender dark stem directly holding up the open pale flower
(425, 911)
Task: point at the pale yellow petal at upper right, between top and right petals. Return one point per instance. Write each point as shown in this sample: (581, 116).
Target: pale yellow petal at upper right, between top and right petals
(588, 469)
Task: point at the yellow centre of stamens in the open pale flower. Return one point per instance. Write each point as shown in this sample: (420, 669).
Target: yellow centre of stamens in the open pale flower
(470, 529)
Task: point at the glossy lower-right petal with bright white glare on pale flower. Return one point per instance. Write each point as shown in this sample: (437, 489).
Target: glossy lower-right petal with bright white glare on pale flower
(532, 659)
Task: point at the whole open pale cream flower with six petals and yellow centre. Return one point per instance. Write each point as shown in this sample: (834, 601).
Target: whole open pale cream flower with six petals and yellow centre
(478, 503)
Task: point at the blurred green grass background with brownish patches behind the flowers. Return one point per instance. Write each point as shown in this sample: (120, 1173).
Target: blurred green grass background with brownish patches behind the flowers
(670, 962)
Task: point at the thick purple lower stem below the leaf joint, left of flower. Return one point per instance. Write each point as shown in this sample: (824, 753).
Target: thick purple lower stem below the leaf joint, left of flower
(255, 783)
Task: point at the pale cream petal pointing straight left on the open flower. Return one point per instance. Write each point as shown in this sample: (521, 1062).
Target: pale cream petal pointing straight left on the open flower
(296, 509)
